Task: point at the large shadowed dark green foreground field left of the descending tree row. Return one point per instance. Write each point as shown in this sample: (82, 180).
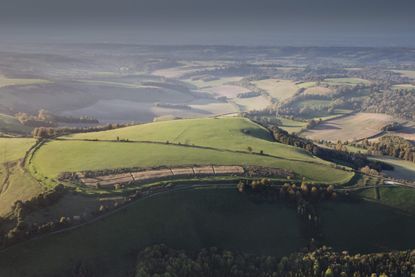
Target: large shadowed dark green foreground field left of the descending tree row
(204, 217)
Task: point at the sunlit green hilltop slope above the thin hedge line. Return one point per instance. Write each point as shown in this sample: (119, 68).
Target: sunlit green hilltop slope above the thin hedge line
(222, 133)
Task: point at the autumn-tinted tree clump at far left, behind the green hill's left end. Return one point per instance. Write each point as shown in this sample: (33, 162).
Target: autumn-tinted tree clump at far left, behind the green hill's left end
(45, 118)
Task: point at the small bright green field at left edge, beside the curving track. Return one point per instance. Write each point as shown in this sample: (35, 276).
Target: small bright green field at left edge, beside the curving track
(12, 149)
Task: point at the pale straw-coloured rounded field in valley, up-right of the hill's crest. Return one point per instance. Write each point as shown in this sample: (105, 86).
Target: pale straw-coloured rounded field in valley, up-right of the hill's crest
(278, 89)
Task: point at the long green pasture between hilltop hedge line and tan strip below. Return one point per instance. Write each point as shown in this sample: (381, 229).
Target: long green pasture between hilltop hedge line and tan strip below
(60, 156)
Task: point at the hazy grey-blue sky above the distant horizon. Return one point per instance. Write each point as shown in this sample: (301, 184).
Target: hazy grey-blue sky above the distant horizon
(252, 22)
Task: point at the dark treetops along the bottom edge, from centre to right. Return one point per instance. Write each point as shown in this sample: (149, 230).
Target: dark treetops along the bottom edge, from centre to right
(160, 260)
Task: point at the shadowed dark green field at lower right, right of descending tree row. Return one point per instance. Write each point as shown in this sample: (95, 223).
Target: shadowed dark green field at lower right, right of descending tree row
(366, 227)
